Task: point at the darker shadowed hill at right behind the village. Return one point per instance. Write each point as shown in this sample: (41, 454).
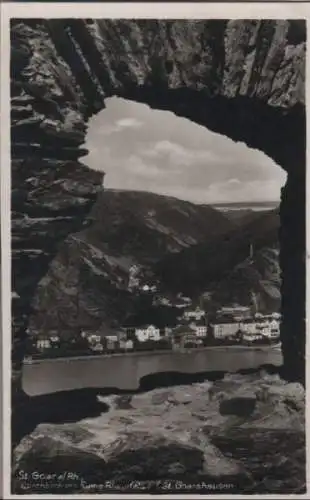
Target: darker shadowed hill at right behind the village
(223, 264)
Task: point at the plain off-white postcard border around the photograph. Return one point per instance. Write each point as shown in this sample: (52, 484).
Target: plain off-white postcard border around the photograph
(229, 10)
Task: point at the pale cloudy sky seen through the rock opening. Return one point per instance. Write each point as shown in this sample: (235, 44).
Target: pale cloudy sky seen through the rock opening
(139, 148)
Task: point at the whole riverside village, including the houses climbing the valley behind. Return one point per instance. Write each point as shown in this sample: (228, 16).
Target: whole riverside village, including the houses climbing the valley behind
(195, 324)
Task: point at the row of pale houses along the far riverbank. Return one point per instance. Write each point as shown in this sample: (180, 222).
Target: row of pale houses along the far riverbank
(236, 325)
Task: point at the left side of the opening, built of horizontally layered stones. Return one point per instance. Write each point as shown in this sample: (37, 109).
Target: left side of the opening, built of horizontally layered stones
(52, 192)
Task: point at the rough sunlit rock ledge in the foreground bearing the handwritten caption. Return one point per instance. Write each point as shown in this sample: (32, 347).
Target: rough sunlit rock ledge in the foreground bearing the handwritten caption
(242, 431)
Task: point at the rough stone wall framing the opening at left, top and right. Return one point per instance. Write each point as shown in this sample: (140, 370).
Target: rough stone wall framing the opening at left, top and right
(244, 79)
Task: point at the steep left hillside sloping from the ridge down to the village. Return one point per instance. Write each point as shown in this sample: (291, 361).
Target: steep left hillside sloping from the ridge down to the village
(87, 284)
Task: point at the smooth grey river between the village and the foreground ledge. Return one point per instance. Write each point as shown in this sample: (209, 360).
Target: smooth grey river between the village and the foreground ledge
(127, 371)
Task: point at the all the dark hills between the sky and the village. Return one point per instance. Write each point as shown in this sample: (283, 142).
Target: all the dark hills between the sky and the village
(179, 246)
